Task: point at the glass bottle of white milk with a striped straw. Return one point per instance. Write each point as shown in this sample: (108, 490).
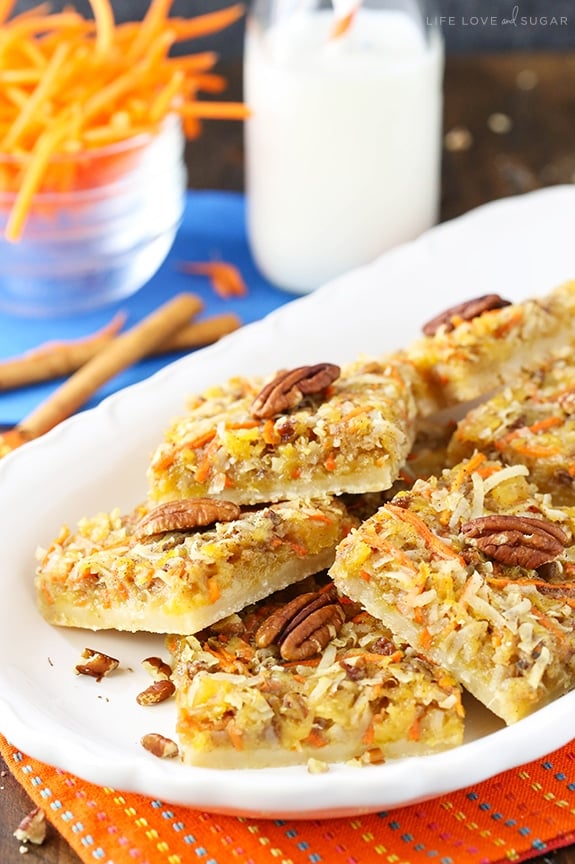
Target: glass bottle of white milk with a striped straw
(343, 146)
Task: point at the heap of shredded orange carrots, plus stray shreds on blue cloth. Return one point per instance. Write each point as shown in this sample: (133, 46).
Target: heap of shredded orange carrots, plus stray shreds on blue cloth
(70, 85)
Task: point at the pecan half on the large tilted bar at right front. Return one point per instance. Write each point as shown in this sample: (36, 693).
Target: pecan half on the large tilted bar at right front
(522, 541)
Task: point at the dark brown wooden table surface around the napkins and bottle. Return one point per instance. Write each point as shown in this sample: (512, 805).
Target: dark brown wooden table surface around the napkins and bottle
(510, 128)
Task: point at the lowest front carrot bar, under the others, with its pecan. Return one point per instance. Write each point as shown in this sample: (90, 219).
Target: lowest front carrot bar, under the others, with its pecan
(310, 678)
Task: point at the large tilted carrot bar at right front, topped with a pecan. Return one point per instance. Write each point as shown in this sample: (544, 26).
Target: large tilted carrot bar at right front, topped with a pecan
(474, 569)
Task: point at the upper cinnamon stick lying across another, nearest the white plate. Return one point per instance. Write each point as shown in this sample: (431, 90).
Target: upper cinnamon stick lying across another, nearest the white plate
(122, 352)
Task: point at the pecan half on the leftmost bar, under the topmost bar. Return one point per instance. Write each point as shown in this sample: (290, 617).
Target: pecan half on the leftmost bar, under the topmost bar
(185, 515)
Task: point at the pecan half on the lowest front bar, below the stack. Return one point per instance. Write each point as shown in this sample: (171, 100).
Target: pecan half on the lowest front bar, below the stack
(304, 626)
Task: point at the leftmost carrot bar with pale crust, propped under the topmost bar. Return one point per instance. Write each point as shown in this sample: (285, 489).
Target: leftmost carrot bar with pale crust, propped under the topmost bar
(181, 566)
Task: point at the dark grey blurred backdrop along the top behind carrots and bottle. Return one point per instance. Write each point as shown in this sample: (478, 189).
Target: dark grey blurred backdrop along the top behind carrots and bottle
(464, 31)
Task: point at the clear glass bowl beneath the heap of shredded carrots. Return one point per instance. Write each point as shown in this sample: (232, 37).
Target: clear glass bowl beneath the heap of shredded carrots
(99, 227)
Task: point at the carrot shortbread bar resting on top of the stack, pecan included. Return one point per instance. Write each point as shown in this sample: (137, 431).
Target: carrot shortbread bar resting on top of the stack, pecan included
(307, 431)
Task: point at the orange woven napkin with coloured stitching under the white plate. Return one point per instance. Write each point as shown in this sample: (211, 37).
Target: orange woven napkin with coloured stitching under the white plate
(515, 816)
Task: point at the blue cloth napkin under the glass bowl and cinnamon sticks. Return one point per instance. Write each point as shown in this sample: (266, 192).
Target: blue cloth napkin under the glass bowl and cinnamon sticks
(213, 228)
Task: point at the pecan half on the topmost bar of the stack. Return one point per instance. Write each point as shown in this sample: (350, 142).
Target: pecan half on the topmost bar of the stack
(289, 388)
